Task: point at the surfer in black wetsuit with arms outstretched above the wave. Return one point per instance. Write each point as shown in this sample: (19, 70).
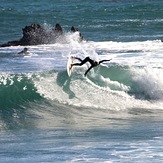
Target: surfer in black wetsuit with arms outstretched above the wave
(87, 59)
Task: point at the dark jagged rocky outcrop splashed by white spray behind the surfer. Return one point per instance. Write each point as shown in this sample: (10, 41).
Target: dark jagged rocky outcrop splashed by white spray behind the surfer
(35, 34)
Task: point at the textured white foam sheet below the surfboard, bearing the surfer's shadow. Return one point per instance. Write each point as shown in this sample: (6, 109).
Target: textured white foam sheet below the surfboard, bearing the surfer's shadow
(82, 92)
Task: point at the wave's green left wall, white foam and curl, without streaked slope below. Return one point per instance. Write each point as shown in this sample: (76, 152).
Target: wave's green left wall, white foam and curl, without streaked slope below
(102, 86)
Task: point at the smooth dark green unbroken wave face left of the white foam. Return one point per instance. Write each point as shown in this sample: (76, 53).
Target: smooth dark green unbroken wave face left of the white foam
(16, 89)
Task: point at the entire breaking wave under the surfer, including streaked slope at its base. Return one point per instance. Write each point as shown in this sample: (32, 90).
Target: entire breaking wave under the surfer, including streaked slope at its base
(28, 98)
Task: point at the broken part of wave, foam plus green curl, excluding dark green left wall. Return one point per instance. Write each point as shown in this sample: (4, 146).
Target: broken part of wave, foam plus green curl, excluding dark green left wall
(104, 87)
